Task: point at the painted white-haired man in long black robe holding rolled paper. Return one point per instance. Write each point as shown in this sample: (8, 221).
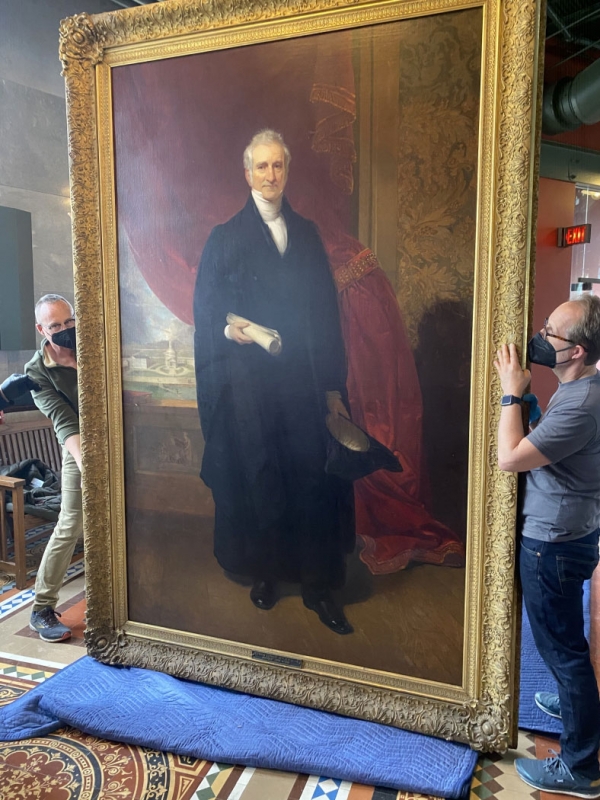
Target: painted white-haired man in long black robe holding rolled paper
(279, 516)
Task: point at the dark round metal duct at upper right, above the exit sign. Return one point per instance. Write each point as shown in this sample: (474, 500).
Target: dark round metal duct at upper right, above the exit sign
(571, 102)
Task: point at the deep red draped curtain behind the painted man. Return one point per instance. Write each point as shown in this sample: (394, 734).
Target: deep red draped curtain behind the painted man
(181, 126)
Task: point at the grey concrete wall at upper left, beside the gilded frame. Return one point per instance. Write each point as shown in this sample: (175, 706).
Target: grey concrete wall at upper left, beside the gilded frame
(34, 174)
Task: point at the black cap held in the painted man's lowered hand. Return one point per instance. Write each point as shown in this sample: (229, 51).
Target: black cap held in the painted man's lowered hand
(353, 454)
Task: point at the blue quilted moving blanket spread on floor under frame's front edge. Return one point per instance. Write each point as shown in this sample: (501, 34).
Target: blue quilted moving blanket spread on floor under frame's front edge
(154, 710)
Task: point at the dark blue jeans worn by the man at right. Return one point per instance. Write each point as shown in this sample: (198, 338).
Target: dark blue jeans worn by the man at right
(552, 576)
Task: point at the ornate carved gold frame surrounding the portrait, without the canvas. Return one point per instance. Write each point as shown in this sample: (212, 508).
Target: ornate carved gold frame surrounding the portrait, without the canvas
(482, 713)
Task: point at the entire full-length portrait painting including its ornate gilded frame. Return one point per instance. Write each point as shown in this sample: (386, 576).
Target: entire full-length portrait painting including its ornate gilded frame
(234, 534)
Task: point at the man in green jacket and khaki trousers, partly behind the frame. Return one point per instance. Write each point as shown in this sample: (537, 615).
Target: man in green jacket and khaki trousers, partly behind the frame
(54, 370)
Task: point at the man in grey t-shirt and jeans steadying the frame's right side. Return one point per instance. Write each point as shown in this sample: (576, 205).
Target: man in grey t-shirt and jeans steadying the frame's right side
(559, 543)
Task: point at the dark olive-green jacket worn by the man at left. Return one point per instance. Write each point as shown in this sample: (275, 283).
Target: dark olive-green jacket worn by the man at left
(57, 399)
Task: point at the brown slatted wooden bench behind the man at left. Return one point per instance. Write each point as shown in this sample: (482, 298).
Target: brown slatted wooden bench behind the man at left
(23, 435)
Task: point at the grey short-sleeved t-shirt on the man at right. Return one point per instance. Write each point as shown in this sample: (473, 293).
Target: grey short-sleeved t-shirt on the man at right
(562, 499)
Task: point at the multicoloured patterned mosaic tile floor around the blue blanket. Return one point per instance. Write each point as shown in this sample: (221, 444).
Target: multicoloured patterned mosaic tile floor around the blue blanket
(48, 767)
